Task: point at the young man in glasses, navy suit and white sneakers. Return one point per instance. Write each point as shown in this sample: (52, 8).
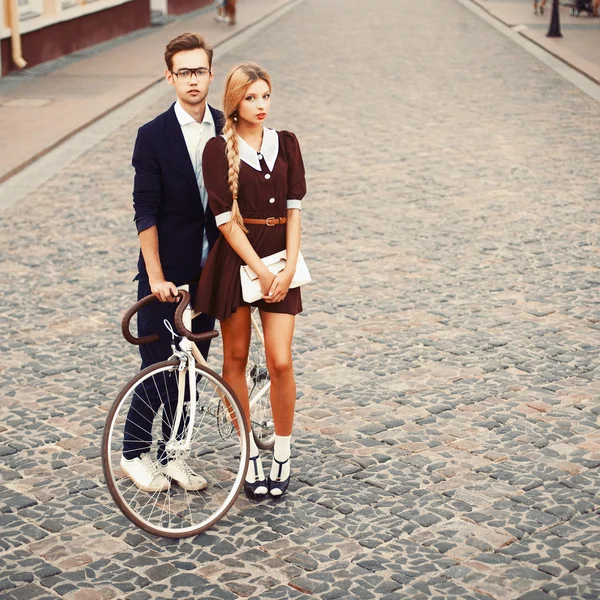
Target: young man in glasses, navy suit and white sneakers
(176, 230)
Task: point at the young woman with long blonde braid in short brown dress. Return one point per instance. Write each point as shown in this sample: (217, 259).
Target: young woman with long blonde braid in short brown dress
(254, 177)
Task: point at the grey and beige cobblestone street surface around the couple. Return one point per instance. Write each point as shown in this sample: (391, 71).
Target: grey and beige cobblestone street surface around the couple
(447, 443)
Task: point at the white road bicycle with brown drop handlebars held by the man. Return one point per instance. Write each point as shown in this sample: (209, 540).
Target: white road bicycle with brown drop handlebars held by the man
(197, 417)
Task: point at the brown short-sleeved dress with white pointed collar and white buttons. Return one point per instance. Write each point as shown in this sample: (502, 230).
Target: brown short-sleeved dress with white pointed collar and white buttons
(263, 192)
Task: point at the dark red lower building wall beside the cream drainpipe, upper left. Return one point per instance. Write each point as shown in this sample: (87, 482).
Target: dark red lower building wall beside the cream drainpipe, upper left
(66, 37)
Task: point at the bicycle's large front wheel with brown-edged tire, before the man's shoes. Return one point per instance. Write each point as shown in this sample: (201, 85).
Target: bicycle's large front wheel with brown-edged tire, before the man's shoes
(177, 513)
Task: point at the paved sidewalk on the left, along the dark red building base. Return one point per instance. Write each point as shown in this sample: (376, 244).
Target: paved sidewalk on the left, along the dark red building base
(43, 106)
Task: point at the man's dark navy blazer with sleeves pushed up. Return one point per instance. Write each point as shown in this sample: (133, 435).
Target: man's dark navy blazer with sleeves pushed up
(165, 194)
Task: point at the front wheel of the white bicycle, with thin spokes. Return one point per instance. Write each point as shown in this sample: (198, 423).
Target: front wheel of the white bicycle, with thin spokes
(211, 439)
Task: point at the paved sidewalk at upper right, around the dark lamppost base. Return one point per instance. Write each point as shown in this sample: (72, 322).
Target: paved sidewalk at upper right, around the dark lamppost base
(580, 45)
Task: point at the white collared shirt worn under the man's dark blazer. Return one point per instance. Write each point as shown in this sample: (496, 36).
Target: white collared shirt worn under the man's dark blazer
(196, 135)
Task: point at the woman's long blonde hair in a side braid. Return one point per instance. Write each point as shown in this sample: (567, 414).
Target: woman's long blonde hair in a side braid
(238, 80)
